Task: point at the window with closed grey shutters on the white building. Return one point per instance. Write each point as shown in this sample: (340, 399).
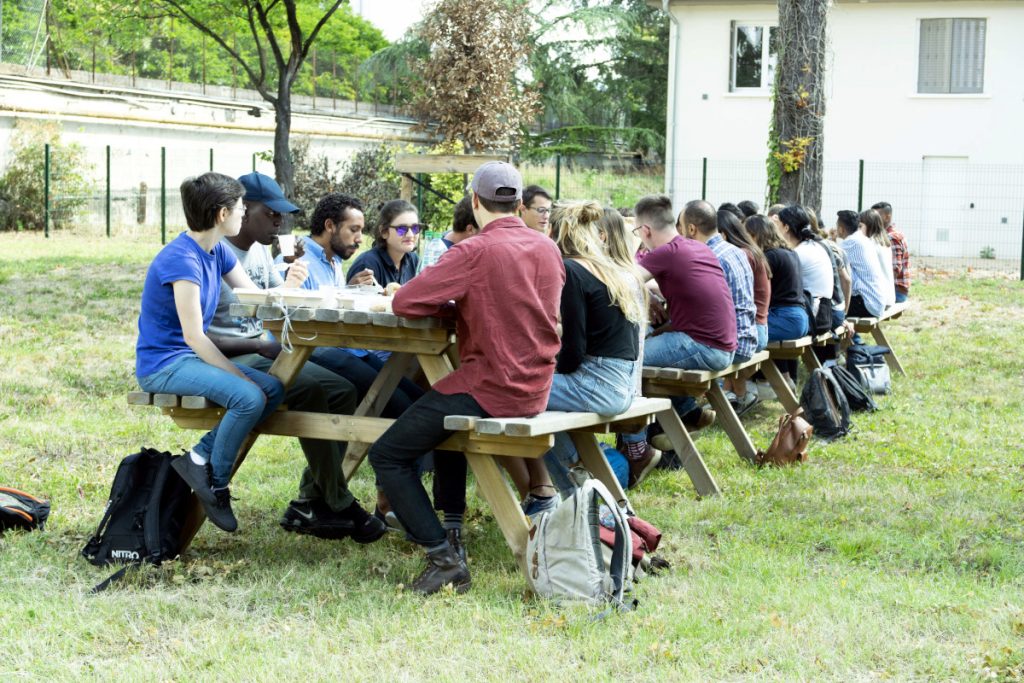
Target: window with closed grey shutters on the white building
(952, 57)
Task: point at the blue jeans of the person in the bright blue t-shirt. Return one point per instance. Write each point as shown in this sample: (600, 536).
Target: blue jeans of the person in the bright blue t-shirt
(246, 405)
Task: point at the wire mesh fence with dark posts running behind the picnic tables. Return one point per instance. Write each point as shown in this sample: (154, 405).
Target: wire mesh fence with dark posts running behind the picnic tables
(956, 216)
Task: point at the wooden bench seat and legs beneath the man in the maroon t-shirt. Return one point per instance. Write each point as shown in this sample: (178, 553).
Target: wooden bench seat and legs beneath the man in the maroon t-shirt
(675, 382)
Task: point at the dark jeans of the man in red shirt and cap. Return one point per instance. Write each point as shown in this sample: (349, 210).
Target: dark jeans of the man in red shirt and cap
(396, 455)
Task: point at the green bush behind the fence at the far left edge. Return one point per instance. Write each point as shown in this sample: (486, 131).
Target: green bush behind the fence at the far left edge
(23, 185)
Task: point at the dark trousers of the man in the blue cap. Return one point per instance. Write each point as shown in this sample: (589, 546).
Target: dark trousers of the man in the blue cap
(318, 391)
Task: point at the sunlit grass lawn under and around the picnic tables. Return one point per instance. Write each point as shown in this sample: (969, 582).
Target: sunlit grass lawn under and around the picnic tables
(897, 553)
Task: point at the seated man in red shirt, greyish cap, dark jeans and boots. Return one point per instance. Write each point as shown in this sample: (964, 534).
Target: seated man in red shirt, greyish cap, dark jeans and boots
(506, 284)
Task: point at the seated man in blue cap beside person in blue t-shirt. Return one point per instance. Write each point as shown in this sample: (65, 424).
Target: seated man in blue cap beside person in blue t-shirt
(325, 507)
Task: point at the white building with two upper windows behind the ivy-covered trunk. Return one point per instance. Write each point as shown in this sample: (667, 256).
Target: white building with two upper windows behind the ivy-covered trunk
(929, 95)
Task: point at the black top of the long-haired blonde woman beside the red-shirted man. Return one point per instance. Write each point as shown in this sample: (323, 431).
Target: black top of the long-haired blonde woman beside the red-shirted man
(591, 326)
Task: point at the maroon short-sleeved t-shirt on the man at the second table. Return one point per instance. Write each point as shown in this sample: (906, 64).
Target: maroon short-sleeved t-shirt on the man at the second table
(694, 284)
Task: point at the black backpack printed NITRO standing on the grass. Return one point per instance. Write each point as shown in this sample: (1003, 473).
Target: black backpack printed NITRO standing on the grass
(145, 515)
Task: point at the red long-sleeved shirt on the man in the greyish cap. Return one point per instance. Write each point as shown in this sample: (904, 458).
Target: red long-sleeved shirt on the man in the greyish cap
(507, 285)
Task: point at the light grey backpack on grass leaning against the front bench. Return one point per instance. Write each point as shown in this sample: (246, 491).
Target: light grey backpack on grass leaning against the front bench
(564, 550)
